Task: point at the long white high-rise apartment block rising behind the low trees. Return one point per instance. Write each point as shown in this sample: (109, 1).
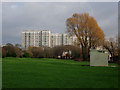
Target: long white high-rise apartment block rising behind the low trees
(37, 38)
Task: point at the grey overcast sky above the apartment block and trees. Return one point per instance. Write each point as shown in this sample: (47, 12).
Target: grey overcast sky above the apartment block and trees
(52, 16)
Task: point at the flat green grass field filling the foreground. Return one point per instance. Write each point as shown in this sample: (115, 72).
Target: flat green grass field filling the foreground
(56, 73)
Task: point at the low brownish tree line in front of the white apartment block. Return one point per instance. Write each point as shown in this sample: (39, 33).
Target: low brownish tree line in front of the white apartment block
(10, 50)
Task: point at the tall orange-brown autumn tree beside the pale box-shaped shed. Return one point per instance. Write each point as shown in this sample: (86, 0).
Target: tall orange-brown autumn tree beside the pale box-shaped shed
(87, 31)
